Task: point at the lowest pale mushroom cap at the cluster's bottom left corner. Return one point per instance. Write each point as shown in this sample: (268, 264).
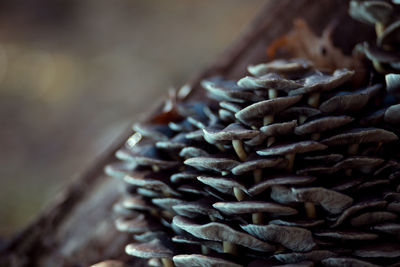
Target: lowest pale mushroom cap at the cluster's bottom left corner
(152, 249)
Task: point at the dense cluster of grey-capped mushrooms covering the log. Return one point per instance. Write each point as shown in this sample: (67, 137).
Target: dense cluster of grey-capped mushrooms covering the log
(288, 166)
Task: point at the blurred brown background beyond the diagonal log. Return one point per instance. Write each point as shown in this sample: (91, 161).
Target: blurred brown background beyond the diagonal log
(75, 73)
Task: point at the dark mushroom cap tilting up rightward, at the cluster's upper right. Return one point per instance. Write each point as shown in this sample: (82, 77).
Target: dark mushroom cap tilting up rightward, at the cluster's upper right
(345, 102)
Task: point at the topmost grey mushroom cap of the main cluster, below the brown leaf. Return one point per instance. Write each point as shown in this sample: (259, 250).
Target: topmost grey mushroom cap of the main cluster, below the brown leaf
(281, 66)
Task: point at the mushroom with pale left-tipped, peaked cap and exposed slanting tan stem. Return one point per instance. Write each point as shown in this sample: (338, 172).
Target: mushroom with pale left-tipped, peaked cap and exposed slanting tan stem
(233, 132)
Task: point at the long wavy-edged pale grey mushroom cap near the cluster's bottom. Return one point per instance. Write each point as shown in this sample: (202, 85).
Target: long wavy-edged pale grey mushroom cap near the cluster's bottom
(221, 232)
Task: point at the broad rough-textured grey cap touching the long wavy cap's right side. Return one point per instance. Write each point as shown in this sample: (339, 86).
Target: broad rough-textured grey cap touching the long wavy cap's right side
(293, 238)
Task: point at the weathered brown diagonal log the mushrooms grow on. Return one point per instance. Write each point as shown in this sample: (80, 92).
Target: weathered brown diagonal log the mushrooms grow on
(77, 229)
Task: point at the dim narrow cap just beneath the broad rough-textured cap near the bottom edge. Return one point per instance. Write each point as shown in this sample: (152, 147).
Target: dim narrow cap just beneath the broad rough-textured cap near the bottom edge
(314, 255)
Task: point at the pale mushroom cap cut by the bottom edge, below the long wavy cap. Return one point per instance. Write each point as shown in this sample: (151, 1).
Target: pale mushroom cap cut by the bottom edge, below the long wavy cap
(195, 260)
